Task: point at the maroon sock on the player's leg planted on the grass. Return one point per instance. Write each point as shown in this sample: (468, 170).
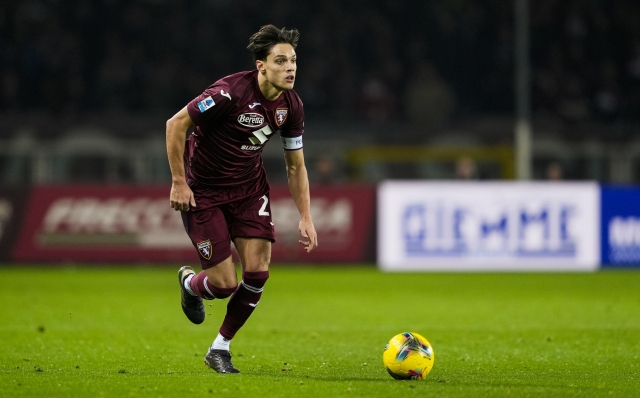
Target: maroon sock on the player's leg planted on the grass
(243, 302)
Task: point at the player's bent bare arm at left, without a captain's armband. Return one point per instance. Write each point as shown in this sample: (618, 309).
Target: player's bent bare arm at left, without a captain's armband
(181, 196)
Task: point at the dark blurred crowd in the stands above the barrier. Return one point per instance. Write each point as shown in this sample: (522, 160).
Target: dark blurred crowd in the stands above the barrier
(376, 60)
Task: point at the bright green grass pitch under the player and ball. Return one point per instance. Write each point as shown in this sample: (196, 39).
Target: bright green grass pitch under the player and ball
(320, 332)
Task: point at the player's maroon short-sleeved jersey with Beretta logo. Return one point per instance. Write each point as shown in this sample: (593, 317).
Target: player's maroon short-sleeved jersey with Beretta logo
(233, 123)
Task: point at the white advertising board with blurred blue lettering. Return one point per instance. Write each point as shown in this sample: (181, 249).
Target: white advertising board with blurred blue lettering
(479, 226)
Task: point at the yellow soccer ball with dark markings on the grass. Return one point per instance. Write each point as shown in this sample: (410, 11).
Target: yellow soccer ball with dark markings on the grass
(408, 356)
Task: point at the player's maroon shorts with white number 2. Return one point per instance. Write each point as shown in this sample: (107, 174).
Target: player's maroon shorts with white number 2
(223, 214)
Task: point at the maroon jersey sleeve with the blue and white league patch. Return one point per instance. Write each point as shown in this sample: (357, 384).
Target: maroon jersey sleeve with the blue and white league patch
(211, 104)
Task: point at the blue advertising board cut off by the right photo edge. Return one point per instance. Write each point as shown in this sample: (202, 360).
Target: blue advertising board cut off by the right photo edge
(620, 226)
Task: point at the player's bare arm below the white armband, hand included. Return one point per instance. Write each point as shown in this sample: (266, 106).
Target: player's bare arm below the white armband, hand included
(299, 187)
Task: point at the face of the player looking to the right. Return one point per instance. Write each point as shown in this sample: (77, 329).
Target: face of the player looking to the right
(280, 66)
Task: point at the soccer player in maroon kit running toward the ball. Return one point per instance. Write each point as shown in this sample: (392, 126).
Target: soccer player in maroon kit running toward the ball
(220, 186)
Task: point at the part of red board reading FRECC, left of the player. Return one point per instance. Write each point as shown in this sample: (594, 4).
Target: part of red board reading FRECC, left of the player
(96, 223)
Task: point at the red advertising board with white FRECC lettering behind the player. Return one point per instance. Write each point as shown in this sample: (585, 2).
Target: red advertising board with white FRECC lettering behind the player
(80, 223)
